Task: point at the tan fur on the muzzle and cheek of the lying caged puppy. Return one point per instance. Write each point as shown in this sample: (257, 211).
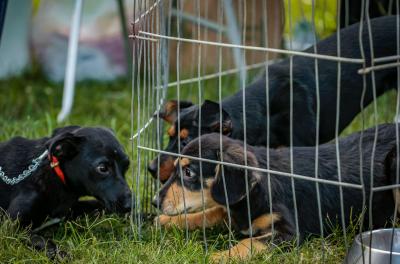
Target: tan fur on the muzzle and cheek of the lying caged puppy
(173, 202)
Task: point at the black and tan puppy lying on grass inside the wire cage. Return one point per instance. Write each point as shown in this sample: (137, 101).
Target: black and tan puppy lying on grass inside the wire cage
(171, 197)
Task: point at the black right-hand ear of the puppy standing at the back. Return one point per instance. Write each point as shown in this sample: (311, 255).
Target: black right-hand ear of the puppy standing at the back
(210, 117)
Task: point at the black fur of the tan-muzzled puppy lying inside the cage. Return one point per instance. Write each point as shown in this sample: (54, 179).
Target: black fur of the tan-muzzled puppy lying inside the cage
(384, 171)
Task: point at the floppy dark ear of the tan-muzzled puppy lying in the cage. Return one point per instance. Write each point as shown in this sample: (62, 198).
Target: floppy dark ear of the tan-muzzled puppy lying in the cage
(235, 178)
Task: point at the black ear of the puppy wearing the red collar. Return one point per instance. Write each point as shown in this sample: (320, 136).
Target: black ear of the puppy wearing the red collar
(64, 145)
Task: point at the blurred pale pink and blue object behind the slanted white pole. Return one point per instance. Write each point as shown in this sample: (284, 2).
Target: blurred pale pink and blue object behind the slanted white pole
(101, 54)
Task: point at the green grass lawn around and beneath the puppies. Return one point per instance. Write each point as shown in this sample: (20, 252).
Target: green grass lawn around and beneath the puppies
(29, 106)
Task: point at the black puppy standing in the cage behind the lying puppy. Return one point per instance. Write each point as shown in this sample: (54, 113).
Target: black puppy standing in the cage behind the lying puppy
(304, 97)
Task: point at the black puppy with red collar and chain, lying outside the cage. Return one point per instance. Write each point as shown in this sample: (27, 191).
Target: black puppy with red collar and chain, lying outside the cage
(73, 162)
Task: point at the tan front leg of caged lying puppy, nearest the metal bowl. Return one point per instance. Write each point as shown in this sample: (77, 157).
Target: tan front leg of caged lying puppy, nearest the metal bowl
(243, 250)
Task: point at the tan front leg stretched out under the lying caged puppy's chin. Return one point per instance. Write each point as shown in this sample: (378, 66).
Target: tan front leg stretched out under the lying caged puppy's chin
(213, 216)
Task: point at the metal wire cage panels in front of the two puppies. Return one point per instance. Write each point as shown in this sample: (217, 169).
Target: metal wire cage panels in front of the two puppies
(196, 50)
